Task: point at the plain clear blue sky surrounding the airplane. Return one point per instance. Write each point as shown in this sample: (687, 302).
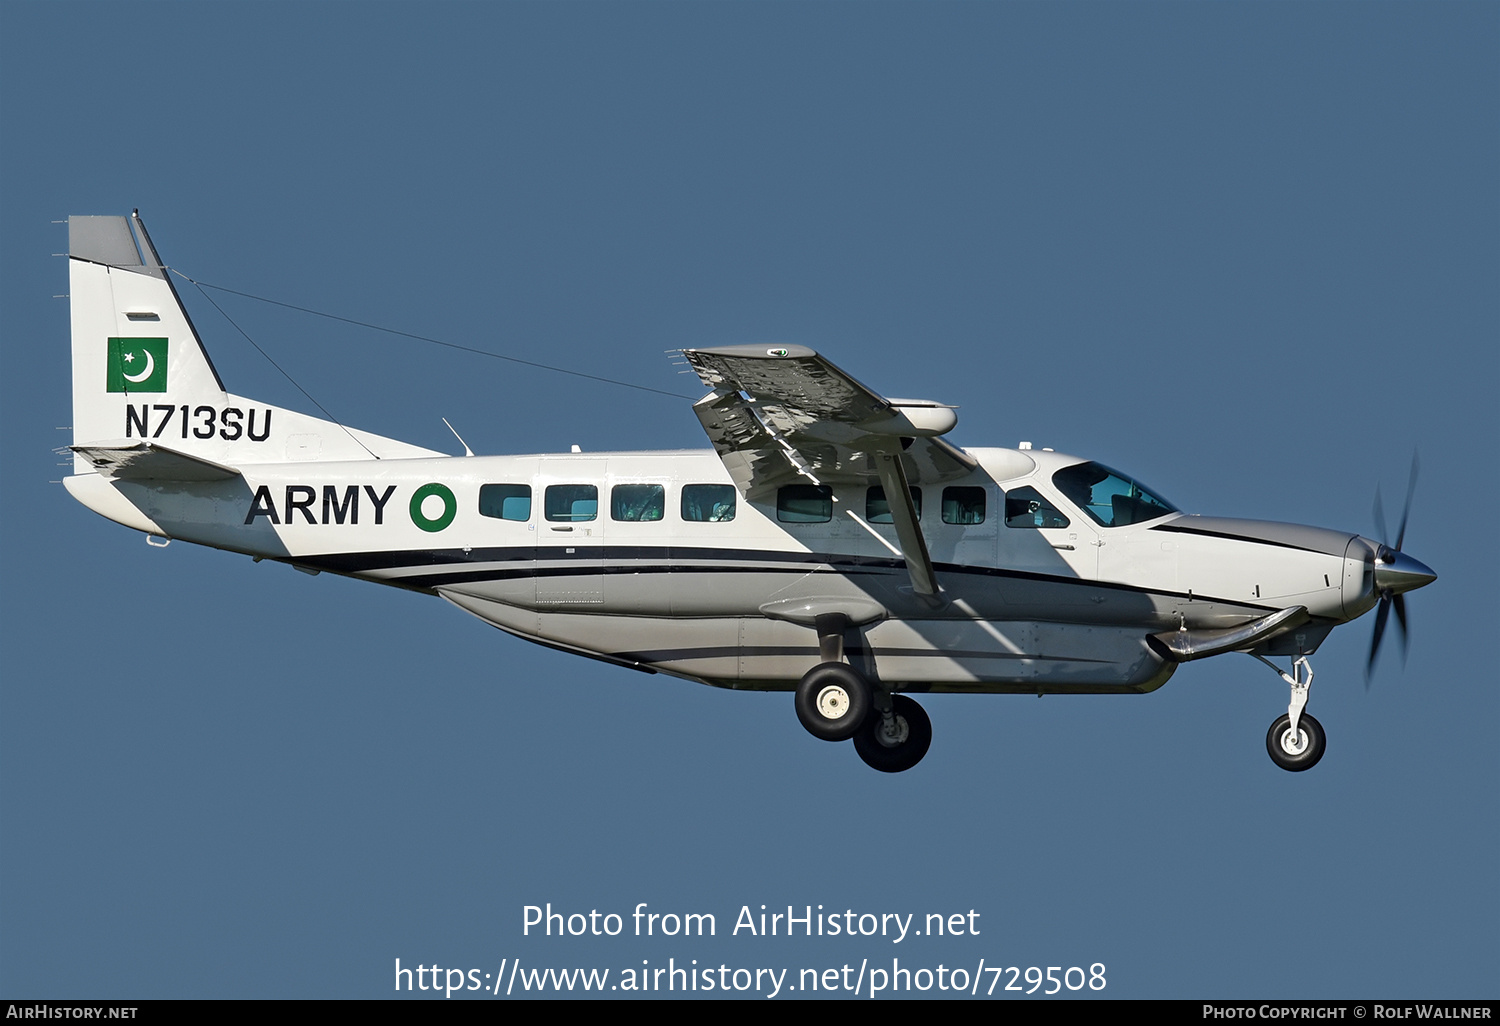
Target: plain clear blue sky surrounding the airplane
(1247, 253)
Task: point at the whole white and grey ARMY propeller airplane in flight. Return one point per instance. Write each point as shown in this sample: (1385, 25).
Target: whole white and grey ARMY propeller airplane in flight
(832, 544)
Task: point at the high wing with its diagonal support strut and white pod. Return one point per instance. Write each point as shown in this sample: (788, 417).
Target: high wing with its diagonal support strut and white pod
(784, 415)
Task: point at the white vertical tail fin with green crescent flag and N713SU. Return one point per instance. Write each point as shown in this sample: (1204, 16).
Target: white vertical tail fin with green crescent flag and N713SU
(142, 371)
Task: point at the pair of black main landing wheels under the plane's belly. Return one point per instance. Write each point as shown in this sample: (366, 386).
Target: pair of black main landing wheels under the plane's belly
(892, 733)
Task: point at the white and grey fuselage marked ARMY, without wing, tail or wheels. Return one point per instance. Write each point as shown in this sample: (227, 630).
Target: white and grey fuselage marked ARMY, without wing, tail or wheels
(1022, 610)
